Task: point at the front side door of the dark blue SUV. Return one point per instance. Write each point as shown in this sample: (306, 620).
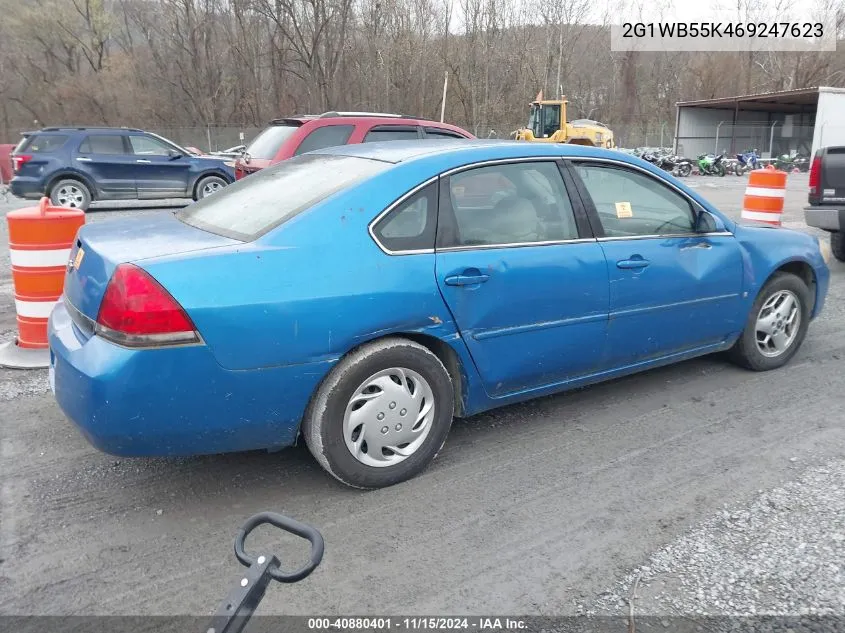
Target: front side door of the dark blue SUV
(161, 170)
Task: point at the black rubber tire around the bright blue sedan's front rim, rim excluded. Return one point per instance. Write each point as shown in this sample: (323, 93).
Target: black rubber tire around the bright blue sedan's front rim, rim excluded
(745, 351)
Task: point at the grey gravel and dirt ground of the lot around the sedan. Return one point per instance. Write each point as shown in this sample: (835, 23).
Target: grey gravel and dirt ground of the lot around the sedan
(722, 491)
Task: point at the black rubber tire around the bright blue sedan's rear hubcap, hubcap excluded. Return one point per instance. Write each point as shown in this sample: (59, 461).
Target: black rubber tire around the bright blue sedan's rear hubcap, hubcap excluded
(322, 426)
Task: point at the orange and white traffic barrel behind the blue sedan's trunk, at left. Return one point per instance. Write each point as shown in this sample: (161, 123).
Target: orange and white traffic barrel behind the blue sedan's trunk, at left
(40, 242)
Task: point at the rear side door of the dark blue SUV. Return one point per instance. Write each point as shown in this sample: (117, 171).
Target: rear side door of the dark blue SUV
(107, 160)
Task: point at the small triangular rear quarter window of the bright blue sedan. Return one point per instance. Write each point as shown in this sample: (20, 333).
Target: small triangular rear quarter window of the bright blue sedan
(410, 226)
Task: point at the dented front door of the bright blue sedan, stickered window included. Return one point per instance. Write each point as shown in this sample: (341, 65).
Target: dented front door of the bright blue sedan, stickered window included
(675, 273)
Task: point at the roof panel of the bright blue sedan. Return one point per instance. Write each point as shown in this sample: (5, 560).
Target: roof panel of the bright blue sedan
(471, 150)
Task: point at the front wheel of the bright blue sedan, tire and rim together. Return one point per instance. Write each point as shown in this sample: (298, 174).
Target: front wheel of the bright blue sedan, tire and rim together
(776, 325)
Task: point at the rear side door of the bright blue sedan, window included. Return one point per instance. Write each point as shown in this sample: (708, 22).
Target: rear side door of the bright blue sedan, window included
(522, 276)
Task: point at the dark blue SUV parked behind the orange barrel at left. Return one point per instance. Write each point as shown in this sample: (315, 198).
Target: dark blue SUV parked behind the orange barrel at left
(77, 165)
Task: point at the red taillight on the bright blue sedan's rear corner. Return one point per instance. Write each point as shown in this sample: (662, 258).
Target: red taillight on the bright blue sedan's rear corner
(137, 311)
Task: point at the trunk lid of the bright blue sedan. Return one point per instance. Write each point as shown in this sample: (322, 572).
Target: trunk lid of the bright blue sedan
(101, 247)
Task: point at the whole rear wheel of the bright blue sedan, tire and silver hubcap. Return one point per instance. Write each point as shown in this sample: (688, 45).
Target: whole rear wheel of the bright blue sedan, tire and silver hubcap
(381, 415)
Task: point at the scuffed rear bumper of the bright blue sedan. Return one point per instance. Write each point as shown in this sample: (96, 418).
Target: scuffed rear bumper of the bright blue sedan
(173, 401)
